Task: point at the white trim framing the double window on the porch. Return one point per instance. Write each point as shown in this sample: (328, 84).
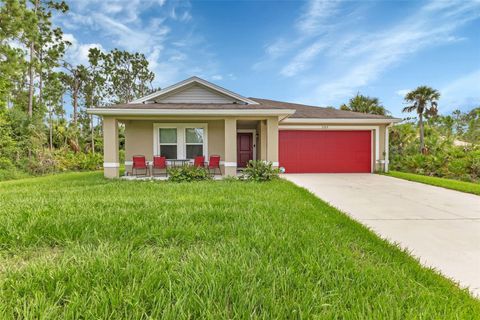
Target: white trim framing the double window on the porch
(181, 137)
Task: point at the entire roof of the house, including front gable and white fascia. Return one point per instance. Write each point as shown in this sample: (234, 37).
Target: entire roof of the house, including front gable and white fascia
(210, 99)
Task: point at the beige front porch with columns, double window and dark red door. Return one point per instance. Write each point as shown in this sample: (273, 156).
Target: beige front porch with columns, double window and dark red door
(235, 139)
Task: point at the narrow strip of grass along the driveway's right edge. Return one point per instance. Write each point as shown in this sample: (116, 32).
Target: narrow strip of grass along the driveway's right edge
(463, 186)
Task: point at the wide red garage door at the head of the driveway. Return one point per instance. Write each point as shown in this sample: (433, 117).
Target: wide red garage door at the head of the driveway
(303, 151)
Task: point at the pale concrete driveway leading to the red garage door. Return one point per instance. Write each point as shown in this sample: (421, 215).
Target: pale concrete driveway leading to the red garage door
(441, 227)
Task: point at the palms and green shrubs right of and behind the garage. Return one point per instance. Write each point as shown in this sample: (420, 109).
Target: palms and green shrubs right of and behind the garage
(430, 143)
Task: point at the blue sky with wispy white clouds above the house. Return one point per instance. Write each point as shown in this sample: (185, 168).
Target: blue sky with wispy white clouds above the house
(314, 52)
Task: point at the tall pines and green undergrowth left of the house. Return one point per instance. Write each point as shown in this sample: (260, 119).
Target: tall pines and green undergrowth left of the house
(38, 84)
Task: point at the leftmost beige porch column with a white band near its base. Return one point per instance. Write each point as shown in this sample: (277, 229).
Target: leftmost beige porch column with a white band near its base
(111, 163)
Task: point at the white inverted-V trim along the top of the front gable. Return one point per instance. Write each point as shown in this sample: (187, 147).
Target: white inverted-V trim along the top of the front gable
(188, 83)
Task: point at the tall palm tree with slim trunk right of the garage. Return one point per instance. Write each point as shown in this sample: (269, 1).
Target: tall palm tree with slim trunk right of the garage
(423, 100)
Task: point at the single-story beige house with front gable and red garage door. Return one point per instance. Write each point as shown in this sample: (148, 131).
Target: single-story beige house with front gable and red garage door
(195, 117)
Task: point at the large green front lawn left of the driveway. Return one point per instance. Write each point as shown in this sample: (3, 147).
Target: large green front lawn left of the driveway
(79, 246)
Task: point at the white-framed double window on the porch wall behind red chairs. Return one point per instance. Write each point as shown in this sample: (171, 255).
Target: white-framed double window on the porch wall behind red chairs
(180, 140)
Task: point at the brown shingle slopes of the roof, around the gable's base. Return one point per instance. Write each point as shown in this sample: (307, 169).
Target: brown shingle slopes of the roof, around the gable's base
(302, 111)
